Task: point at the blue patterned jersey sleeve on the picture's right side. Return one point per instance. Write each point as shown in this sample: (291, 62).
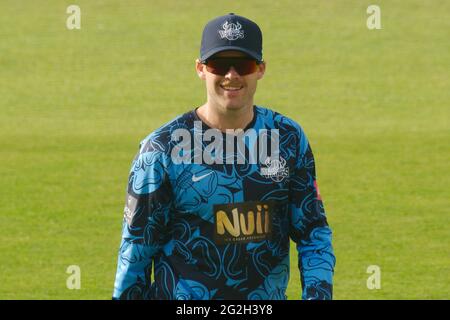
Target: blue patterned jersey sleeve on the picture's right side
(309, 229)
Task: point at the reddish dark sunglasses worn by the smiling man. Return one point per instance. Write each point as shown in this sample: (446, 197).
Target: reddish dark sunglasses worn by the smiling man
(221, 66)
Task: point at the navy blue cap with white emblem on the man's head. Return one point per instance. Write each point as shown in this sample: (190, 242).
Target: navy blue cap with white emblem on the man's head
(231, 32)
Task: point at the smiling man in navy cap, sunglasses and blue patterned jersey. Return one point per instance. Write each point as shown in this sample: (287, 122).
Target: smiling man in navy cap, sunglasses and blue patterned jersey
(215, 222)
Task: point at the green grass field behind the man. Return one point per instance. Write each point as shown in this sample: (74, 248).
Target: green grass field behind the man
(75, 104)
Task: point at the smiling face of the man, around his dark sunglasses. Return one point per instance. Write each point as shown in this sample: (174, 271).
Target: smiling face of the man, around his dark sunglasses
(231, 91)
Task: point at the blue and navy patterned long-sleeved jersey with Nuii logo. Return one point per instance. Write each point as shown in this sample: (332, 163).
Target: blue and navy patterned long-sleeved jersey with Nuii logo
(222, 230)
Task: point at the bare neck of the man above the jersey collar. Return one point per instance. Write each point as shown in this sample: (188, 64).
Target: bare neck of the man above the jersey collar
(226, 118)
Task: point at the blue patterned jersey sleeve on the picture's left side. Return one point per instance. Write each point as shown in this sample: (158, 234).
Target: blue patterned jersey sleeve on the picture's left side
(146, 216)
